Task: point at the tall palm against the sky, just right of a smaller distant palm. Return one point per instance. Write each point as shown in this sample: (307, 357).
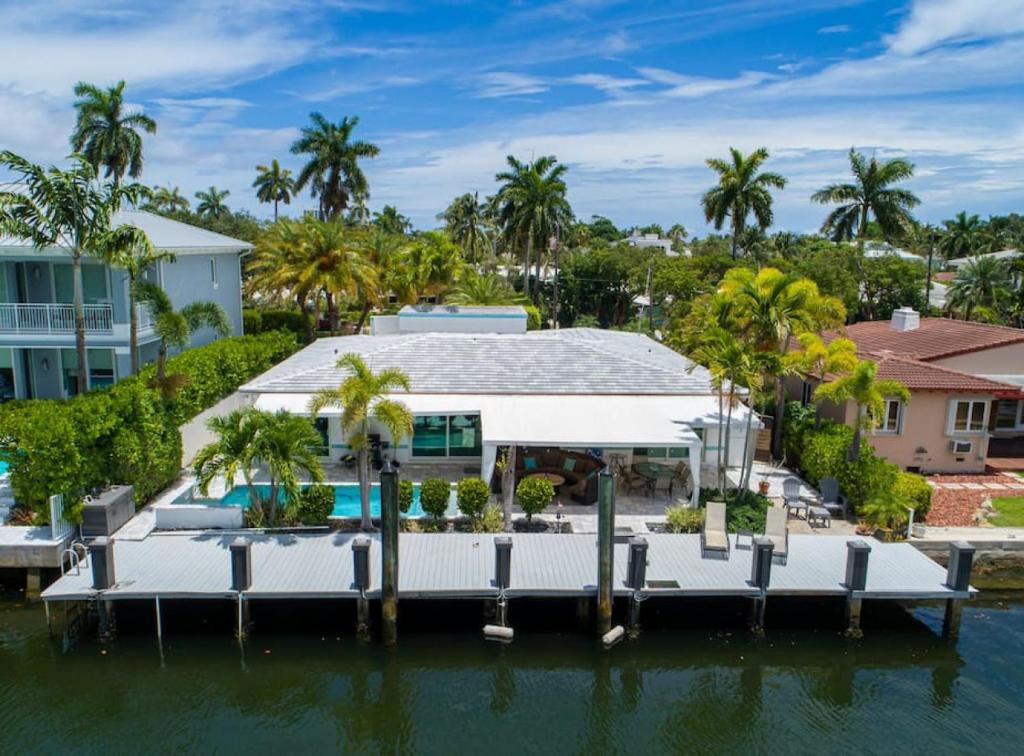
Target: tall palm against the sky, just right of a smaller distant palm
(333, 171)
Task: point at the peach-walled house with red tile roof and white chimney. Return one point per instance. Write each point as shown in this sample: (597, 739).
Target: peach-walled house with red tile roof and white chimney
(967, 391)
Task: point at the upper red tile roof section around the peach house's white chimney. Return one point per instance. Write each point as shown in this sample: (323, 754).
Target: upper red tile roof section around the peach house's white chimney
(936, 339)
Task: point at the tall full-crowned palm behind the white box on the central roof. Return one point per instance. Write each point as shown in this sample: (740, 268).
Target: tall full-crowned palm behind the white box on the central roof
(533, 207)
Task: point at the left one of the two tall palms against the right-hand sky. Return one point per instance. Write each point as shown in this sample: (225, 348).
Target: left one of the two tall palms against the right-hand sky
(741, 191)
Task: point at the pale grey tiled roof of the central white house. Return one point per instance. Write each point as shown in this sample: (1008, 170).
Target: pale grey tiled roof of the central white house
(570, 361)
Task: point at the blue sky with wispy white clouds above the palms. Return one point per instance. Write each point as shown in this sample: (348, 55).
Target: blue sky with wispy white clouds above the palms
(633, 96)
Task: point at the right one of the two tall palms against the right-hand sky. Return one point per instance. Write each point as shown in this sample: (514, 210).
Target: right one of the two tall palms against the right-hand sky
(871, 194)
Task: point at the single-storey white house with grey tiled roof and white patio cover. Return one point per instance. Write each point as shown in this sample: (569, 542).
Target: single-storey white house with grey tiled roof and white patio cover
(614, 396)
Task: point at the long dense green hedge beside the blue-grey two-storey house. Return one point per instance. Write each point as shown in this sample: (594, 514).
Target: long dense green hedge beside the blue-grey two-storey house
(126, 434)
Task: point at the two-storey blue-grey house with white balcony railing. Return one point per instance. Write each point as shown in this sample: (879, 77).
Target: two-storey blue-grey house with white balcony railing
(37, 319)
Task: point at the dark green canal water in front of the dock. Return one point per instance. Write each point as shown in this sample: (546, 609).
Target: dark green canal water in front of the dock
(695, 682)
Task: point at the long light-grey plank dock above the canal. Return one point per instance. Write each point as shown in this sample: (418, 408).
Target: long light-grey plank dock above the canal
(320, 565)
